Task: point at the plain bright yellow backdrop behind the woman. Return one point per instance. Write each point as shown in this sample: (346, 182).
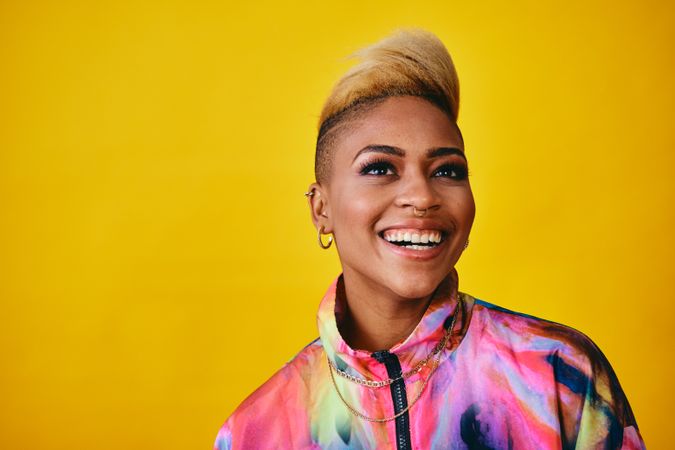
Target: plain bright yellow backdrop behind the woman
(157, 259)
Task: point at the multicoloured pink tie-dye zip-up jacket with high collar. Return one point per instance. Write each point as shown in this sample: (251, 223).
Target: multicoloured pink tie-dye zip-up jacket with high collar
(506, 380)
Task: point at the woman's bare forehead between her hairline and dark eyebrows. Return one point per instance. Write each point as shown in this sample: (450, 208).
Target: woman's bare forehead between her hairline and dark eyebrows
(411, 123)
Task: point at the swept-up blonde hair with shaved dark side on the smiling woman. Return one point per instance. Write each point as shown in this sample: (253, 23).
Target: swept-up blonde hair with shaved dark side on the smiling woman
(409, 62)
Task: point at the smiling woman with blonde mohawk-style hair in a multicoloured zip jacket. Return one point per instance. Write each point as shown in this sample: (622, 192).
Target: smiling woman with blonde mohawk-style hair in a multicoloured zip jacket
(404, 360)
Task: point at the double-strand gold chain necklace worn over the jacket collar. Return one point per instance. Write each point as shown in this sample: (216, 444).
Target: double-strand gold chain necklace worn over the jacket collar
(435, 353)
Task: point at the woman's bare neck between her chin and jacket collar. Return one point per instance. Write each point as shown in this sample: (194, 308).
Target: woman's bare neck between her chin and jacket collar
(376, 321)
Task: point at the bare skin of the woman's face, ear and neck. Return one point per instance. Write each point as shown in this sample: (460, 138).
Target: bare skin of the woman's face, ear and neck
(387, 288)
